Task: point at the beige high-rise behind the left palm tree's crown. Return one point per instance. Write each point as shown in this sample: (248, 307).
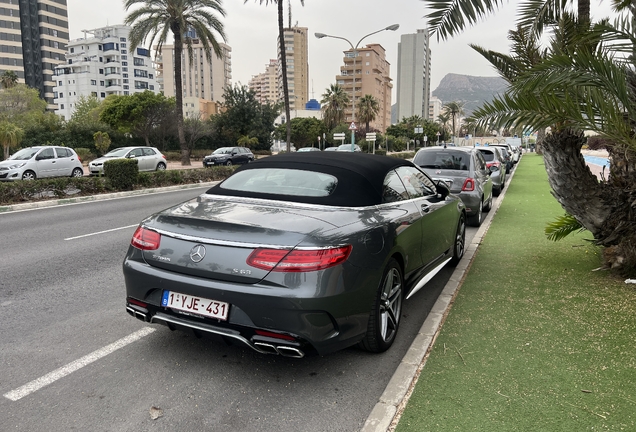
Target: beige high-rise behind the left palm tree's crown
(202, 78)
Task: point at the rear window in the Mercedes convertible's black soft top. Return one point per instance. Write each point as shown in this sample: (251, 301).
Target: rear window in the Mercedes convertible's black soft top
(278, 181)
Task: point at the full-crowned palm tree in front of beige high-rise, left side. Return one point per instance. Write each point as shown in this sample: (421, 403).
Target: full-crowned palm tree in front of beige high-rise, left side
(155, 19)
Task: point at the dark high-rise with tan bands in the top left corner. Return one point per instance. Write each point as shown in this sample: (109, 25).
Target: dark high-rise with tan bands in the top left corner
(33, 36)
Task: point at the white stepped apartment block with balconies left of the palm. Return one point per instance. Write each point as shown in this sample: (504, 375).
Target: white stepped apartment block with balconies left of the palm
(101, 64)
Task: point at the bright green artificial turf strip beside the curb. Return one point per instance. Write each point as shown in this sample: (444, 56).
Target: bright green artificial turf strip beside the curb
(535, 340)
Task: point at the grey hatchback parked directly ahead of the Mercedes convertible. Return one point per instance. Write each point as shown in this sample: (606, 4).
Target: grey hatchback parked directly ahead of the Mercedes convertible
(465, 172)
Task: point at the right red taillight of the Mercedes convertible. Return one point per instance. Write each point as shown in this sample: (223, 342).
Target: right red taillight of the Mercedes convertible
(298, 260)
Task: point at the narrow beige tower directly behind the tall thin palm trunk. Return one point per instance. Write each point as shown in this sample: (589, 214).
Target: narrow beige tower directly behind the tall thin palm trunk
(296, 55)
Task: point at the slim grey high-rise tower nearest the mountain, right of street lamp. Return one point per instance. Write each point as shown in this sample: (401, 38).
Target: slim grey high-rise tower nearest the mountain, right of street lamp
(414, 75)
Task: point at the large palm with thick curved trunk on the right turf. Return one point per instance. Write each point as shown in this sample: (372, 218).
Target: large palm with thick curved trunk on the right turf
(585, 82)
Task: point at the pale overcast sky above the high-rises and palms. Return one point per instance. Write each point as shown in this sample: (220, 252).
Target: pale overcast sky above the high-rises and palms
(252, 30)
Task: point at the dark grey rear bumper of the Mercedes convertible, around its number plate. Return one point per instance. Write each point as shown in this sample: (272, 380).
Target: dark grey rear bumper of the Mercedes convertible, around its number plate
(309, 323)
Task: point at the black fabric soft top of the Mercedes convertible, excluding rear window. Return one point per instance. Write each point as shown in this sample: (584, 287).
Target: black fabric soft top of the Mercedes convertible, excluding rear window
(360, 176)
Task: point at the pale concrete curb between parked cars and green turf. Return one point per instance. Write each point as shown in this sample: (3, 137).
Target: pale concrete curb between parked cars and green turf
(387, 412)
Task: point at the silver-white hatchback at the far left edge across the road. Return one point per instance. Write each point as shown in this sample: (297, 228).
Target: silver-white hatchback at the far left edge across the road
(41, 162)
